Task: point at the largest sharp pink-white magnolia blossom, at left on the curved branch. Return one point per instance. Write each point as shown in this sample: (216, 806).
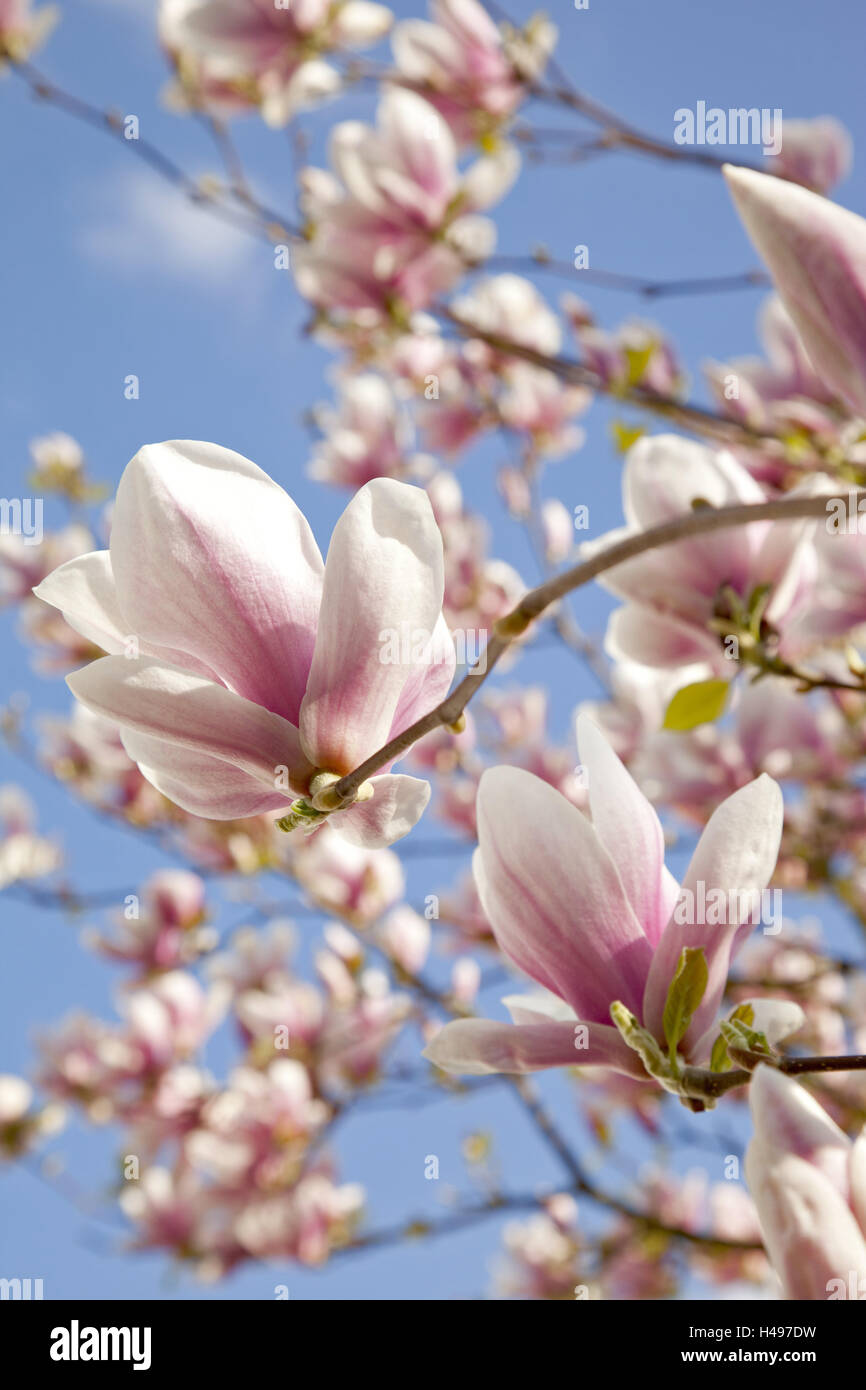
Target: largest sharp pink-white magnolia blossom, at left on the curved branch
(241, 667)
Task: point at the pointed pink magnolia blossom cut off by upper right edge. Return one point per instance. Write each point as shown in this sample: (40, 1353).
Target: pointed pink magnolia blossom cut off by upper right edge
(817, 254)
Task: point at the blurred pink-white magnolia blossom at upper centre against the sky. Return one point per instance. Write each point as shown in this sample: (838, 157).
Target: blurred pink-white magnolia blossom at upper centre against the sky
(400, 224)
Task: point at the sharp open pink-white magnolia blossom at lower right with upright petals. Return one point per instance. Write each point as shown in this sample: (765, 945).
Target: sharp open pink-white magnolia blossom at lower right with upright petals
(587, 911)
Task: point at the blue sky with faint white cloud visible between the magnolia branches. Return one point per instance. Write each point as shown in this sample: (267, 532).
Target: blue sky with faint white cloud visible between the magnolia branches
(106, 272)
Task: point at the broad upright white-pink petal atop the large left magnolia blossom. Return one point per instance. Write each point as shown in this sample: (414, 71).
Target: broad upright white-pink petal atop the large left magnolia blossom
(213, 559)
